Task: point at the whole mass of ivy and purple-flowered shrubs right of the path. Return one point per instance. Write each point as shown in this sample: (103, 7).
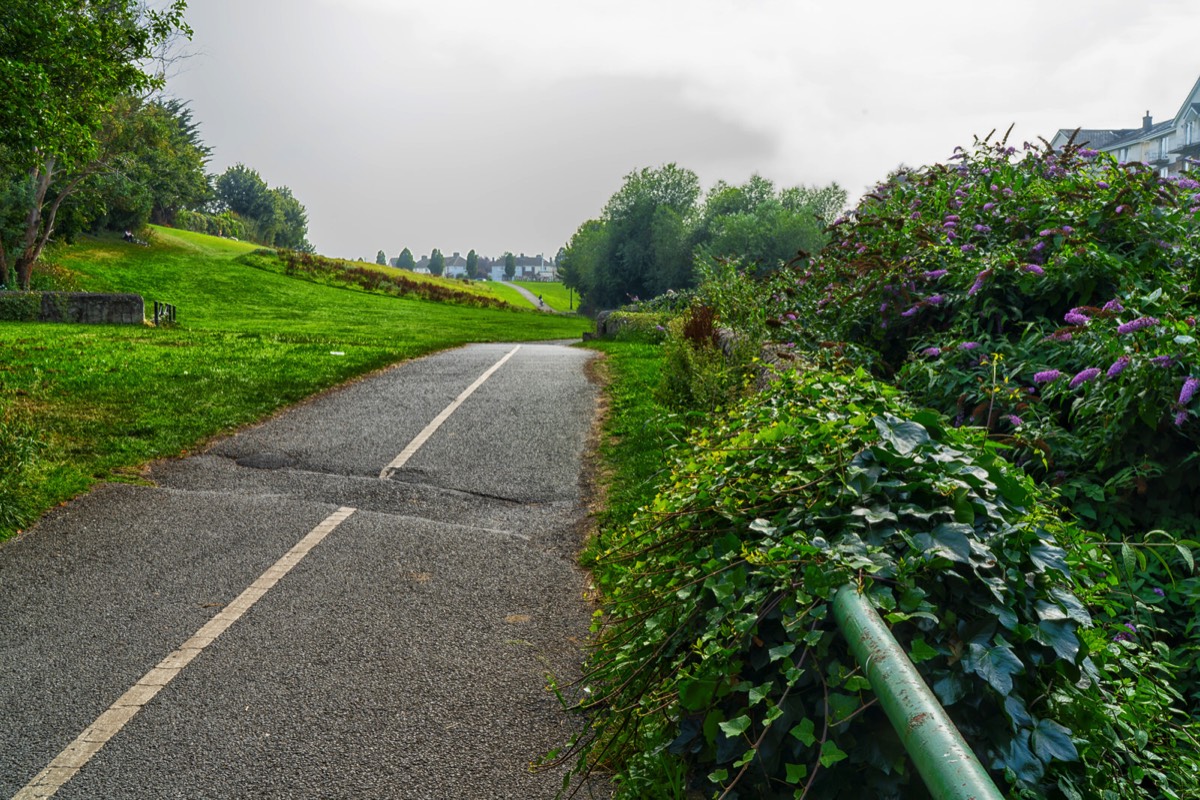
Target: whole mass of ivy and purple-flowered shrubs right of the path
(1043, 305)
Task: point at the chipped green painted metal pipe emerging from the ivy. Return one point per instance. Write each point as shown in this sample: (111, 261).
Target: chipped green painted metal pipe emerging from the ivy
(944, 760)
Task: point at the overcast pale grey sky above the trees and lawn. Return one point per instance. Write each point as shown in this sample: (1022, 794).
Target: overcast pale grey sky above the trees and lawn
(503, 125)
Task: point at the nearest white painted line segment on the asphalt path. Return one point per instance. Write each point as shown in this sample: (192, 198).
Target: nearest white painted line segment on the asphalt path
(107, 725)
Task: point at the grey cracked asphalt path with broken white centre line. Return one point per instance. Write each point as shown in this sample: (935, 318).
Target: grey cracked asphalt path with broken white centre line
(358, 599)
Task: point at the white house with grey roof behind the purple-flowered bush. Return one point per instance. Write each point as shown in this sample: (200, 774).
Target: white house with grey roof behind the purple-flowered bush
(1167, 146)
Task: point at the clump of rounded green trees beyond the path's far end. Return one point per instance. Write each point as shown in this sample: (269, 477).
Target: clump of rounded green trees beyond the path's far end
(653, 231)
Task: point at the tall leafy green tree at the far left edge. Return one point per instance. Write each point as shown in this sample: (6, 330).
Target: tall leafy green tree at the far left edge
(63, 67)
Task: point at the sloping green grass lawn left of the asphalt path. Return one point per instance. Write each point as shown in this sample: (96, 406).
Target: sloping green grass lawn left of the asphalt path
(86, 404)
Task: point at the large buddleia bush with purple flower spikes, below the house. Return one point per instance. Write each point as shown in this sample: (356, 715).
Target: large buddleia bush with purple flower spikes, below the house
(1049, 298)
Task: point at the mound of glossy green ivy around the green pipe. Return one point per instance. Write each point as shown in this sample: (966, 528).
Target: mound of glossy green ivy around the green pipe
(718, 648)
